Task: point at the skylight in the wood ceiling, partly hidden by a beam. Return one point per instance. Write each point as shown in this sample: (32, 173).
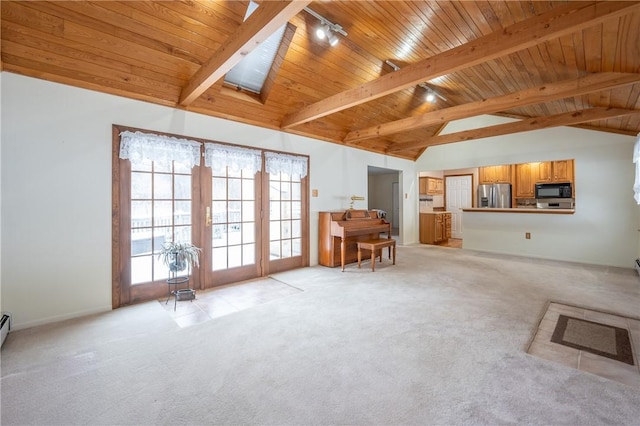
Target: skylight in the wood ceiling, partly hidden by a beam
(251, 73)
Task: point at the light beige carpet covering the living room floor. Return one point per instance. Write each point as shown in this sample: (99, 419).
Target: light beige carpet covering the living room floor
(438, 339)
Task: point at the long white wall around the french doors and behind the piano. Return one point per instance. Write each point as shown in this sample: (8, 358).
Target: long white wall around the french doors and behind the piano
(56, 189)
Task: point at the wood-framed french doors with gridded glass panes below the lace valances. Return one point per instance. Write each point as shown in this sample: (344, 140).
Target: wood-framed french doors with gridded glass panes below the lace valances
(248, 224)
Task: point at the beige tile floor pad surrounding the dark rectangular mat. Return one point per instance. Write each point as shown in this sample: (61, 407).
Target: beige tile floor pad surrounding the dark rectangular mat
(543, 347)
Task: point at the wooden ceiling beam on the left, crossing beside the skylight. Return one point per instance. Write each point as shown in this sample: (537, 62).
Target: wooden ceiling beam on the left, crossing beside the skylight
(267, 18)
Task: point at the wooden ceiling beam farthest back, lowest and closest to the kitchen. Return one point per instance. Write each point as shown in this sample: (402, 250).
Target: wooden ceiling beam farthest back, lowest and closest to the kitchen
(564, 119)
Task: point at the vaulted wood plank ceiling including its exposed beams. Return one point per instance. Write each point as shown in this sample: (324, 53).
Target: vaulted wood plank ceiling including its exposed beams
(549, 63)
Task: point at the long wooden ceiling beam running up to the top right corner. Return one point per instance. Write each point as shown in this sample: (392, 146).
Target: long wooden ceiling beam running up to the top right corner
(556, 23)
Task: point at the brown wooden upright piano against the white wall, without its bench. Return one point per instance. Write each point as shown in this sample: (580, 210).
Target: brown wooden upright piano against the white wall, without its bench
(338, 233)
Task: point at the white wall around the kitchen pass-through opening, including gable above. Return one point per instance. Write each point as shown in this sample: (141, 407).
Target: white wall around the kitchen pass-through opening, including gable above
(604, 228)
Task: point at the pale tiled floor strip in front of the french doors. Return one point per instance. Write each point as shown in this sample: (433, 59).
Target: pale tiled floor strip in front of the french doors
(224, 300)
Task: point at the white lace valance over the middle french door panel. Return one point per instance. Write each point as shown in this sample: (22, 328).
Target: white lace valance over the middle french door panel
(218, 156)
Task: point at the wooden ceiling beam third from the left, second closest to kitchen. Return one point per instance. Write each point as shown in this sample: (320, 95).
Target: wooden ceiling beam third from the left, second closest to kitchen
(544, 93)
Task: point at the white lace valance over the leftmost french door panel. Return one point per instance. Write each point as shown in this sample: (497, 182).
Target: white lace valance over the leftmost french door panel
(138, 146)
